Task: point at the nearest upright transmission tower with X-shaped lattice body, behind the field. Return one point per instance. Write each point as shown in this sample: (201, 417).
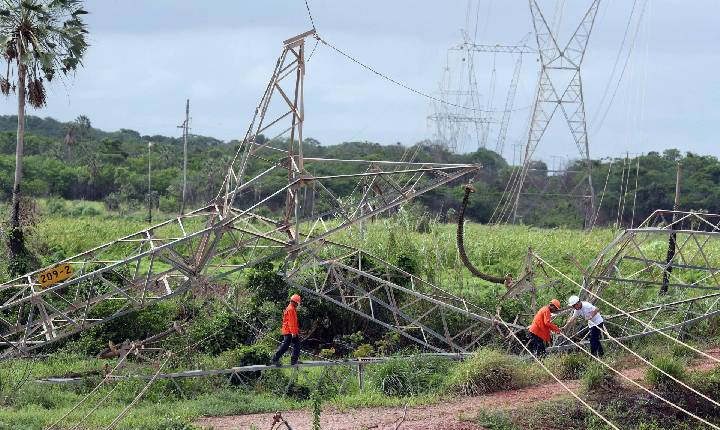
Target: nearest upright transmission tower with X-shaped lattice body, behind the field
(559, 86)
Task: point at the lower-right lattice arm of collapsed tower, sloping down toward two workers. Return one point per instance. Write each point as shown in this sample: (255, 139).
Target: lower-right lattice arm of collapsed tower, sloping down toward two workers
(399, 301)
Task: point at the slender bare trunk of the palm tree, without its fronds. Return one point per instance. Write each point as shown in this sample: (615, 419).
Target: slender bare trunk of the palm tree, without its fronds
(16, 242)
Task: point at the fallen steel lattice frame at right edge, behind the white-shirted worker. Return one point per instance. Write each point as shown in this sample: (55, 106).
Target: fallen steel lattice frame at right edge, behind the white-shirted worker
(665, 275)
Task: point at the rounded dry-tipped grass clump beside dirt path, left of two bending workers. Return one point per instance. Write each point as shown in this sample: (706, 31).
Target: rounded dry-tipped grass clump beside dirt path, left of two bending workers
(488, 371)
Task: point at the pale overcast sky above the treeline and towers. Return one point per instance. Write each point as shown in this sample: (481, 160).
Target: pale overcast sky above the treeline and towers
(147, 57)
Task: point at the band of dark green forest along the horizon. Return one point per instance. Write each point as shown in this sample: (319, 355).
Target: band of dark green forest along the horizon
(76, 161)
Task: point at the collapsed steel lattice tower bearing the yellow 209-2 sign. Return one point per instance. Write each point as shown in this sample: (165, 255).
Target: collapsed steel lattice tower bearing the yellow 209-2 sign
(203, 252)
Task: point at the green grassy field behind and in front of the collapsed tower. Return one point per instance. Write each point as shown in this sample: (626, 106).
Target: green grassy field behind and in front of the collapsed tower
(61, 232)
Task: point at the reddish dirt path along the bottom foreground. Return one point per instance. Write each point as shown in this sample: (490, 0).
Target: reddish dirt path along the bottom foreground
(442, 416)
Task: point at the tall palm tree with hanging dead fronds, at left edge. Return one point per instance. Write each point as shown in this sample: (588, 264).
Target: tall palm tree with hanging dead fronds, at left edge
(38, 39)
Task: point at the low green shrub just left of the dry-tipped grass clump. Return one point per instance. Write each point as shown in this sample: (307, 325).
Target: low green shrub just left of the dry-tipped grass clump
(398, 377)
